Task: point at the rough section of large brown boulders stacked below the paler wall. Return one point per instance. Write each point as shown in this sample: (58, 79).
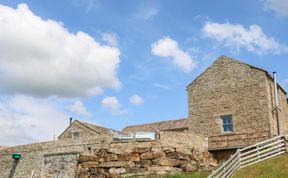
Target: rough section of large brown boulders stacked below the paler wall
(126, 160)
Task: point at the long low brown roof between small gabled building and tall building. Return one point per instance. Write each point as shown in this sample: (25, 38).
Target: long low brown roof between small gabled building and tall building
(179, 125)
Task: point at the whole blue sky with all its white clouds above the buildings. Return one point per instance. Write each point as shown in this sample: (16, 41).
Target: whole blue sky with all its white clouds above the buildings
(120, 63)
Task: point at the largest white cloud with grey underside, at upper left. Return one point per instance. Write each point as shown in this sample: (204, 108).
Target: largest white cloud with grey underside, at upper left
(40, 57)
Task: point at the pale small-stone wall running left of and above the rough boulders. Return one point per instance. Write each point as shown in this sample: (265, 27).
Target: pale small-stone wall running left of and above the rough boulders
(33, 159)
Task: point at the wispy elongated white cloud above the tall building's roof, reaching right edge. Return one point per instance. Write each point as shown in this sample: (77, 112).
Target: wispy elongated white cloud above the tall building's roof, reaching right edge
(235, 36)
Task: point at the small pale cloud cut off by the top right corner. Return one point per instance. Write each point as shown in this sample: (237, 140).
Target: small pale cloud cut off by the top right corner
(280, 7)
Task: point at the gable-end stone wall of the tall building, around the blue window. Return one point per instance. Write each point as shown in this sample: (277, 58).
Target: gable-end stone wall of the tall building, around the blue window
(229, 87)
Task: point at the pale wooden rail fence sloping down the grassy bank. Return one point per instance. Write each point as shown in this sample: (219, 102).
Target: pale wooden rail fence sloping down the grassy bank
(250, 155)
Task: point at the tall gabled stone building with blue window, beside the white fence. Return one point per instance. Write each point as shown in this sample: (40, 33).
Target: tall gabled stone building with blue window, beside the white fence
(233, 105)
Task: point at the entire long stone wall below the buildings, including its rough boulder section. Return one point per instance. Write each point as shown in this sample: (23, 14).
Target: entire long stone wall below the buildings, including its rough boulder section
(173, 152)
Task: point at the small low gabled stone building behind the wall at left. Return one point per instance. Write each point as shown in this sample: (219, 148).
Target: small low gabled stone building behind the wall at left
(79, 129)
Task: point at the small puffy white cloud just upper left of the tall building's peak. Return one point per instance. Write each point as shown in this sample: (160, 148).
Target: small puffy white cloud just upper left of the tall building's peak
(166, 47)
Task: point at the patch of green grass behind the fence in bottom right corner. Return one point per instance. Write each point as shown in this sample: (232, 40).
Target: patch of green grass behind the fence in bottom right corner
(276, 167)
